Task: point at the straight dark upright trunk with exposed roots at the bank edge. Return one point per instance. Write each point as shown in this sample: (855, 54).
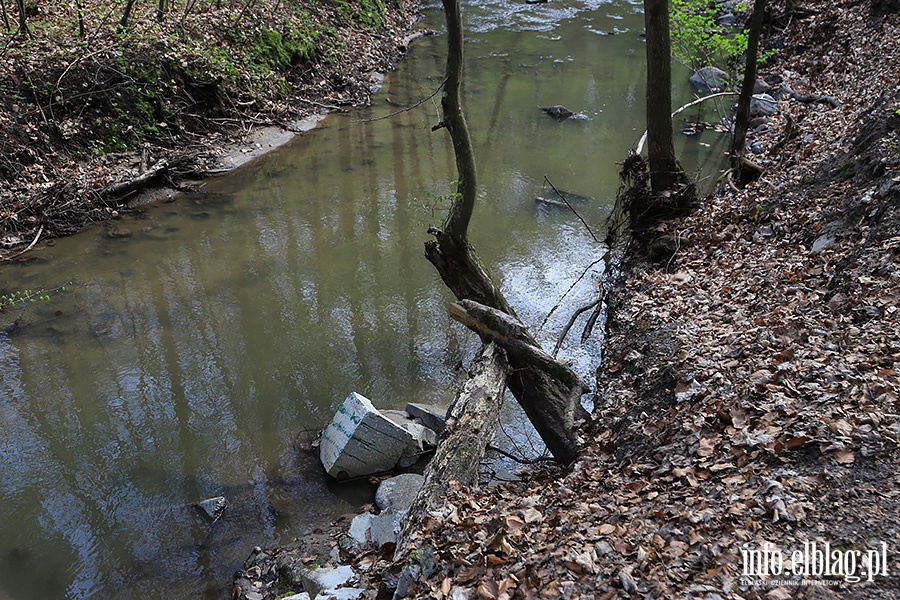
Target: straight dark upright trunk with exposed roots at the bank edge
(664, 169)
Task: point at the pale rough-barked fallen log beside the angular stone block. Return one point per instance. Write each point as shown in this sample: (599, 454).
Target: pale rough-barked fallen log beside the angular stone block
(471, 425)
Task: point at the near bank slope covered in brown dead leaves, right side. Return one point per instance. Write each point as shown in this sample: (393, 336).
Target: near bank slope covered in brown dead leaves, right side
(746, 437)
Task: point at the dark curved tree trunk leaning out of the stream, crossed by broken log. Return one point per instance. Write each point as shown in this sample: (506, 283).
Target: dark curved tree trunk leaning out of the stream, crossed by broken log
(550, 402)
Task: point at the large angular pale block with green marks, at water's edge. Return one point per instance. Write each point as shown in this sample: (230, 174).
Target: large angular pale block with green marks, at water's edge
(361, 441)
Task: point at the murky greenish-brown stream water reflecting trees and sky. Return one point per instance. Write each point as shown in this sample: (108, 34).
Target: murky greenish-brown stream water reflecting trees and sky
(193, 344)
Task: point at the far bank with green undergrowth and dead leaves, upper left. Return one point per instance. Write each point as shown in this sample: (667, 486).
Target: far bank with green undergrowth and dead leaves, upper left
(95, 119)
